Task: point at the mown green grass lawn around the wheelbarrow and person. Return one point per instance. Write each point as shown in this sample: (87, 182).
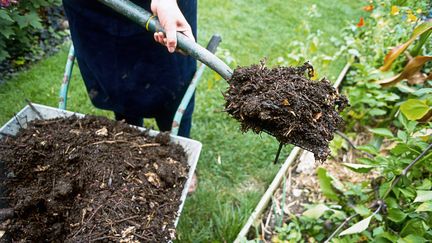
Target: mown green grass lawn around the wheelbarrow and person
(234, 168)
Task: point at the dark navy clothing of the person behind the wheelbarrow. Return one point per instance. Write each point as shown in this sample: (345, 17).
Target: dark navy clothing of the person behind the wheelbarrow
(124, 69)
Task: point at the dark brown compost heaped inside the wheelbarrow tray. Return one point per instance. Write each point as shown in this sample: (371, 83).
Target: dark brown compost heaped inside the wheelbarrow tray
(91, 179)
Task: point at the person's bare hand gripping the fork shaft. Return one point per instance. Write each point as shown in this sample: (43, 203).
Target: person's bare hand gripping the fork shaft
(172, 21)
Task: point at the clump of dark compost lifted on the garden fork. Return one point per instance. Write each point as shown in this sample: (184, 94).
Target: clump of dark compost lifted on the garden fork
(285, 103)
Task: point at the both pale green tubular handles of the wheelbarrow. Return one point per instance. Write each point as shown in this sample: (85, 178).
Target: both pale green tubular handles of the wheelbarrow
(211, 46)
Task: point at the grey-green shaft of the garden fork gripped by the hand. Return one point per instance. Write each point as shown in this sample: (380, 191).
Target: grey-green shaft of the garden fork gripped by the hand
(151, 23)
